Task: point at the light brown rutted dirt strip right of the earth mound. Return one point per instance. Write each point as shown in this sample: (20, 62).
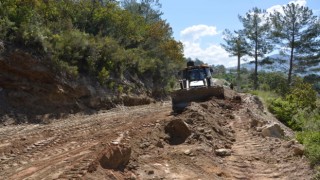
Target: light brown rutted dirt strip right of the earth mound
(254, 158)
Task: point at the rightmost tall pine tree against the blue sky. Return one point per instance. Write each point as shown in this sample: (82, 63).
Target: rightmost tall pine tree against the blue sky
(296, 31)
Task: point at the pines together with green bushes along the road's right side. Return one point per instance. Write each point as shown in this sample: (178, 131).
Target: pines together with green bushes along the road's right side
(294, 34)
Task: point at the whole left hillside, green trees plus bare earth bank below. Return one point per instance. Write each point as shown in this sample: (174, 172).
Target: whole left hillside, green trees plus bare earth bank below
(64, 57)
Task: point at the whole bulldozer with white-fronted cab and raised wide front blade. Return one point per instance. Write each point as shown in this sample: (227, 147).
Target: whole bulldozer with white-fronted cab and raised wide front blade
(196, 85)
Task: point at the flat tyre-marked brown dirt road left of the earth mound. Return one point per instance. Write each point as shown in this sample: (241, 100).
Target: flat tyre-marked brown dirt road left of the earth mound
(65, 148)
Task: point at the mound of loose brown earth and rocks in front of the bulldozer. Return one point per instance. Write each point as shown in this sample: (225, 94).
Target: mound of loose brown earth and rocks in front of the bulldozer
(175, 147)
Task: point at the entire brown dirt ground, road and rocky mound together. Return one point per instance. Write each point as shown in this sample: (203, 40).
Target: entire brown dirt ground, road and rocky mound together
(232, 138)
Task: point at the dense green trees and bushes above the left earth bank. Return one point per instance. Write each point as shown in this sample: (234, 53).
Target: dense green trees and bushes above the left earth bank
(111, 42)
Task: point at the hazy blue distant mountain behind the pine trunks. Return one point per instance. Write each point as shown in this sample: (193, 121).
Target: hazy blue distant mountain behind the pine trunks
(278, 63)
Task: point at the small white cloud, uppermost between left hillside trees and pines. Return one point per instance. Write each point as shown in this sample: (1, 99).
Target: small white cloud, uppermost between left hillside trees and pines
(197, 31)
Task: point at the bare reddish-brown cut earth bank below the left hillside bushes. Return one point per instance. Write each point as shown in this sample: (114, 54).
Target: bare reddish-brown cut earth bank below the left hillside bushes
(31, 92)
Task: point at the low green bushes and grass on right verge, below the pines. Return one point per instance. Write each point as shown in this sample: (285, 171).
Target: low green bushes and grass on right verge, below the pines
(299, 109)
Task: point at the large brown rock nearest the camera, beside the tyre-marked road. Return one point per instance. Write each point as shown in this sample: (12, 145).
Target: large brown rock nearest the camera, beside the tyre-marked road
(115, 156)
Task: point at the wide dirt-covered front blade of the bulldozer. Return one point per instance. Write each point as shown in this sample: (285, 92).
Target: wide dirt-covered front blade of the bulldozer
(183, 97)
